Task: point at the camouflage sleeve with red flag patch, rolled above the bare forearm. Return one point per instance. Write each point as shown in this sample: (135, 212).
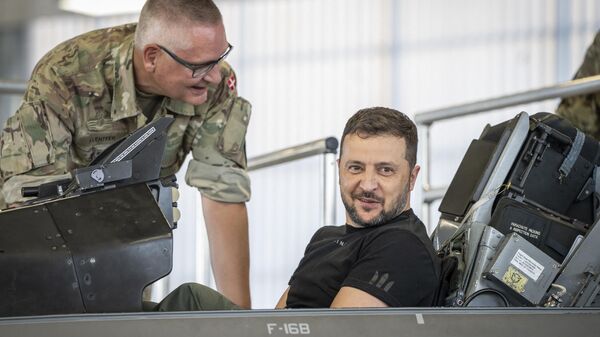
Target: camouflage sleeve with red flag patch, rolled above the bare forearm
(218, 166)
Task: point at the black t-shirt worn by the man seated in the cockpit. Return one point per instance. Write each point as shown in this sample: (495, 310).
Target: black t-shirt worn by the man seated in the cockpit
(394, 262)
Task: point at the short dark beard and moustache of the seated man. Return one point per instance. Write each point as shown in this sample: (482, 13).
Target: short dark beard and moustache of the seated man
(383, 217)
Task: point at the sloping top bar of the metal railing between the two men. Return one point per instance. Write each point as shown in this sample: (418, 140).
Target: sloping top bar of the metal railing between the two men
(321, 146)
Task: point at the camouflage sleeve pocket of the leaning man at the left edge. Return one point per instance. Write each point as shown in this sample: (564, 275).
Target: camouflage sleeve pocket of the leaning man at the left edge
(26, 141)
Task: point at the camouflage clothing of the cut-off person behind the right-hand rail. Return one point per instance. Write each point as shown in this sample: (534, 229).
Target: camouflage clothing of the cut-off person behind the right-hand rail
(584, 111)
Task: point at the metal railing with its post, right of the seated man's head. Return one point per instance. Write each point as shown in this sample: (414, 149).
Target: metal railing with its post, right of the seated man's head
(424, 120)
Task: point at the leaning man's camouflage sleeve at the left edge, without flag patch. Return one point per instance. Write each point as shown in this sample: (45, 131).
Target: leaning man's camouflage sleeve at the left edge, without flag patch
(35, 141)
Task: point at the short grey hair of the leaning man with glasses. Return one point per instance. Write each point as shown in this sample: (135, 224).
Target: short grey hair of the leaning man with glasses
(160, 20)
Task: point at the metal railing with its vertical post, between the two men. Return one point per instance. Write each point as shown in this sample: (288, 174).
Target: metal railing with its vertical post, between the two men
(326, 147)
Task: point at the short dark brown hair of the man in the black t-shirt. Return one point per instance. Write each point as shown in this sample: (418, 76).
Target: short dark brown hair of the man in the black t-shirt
(379, 121)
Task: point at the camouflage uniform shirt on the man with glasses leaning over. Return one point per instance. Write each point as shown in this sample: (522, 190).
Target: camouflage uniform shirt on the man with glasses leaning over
(81, 98)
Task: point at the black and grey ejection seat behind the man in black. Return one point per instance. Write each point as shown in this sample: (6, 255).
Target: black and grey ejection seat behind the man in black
(518, 222)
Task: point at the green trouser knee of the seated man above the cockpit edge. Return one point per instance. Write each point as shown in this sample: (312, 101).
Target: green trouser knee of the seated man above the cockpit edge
(193, 297)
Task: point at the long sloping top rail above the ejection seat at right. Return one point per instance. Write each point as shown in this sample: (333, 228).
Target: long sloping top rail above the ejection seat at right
(566, 89)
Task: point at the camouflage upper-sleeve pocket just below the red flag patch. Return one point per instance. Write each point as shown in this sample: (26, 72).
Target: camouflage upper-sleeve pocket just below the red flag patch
(232, 139)
